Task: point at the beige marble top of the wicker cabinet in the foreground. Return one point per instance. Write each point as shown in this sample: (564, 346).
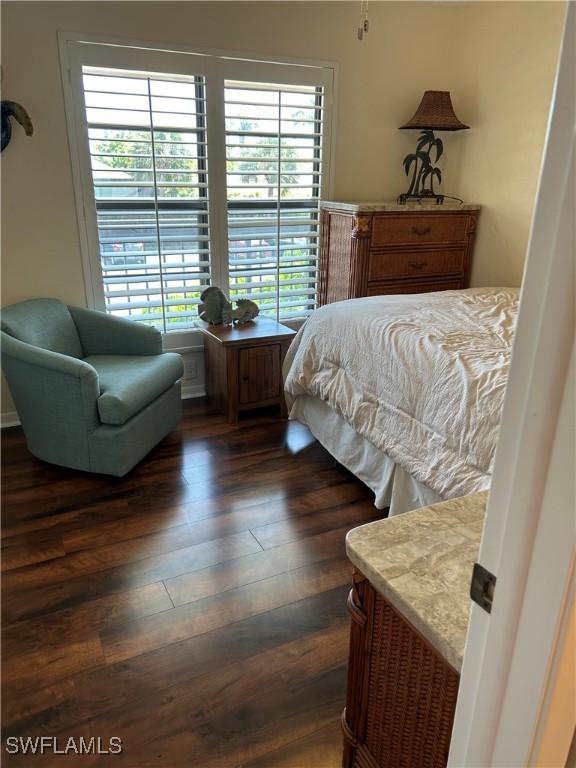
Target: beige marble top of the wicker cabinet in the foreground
(422, 563)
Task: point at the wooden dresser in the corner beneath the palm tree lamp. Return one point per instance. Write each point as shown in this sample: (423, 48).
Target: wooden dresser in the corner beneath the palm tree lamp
(369, 249)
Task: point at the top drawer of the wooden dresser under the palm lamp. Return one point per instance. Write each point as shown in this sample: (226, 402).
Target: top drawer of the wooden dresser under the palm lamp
(418, 229)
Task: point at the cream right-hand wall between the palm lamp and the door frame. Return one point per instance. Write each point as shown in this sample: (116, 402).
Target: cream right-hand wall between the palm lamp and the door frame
(505, 57)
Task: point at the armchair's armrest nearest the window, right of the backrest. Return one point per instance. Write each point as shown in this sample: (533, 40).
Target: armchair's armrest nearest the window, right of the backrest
(102, 334)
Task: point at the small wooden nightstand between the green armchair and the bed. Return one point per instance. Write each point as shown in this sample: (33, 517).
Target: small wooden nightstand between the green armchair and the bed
(244, 365)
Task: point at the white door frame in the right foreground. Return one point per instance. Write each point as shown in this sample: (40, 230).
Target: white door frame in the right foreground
(528, 541)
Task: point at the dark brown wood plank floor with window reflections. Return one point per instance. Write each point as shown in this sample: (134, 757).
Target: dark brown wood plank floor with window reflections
(196, 609)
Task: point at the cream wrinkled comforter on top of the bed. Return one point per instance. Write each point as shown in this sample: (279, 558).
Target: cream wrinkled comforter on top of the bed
(422, 377)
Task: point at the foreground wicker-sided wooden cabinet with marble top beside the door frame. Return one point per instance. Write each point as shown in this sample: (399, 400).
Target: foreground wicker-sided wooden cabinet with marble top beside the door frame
(409, 606)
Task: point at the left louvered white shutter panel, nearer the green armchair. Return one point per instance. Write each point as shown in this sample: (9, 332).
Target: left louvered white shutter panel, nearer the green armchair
(148, 152)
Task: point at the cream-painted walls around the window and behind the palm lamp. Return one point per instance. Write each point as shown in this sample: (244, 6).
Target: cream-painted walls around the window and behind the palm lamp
(411, 46)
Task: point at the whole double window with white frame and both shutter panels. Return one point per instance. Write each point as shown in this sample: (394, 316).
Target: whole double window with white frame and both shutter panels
(197, 170)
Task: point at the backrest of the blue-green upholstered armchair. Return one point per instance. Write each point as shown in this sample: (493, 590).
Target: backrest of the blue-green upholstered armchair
(45, 323)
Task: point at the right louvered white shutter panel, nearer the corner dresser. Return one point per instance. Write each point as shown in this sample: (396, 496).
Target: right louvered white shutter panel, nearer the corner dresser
(273, 181)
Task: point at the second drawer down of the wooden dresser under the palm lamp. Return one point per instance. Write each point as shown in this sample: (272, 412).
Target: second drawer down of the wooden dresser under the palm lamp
(386, 264)
